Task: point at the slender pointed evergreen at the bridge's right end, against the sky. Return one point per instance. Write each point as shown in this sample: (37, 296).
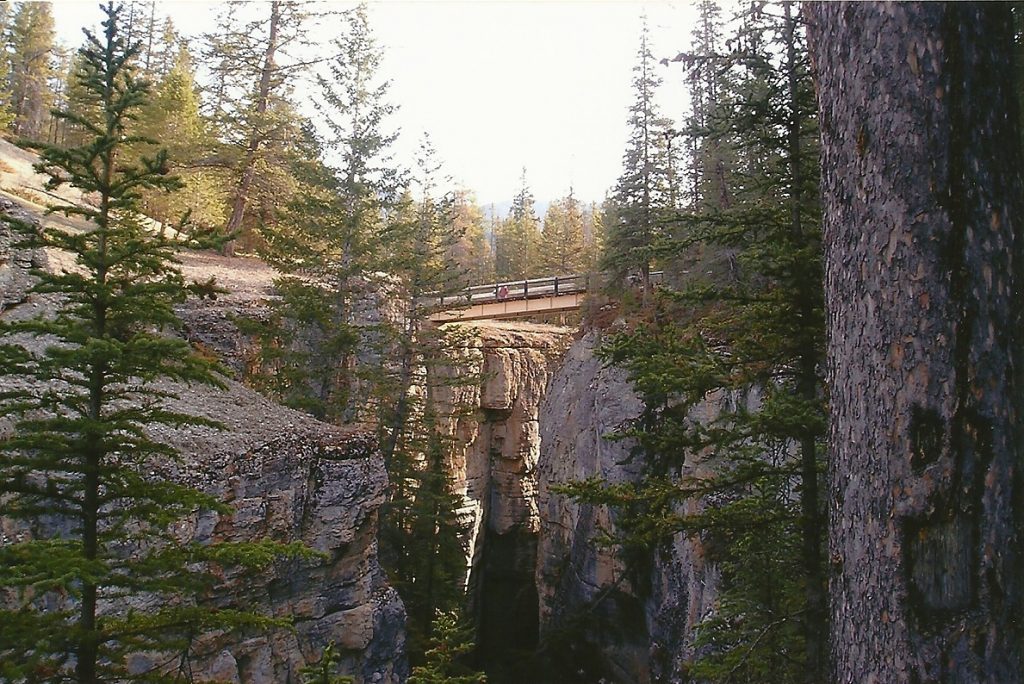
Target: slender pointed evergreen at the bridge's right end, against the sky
(644, 194)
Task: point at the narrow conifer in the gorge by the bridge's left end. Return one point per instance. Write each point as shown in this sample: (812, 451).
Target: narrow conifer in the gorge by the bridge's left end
(422, 537)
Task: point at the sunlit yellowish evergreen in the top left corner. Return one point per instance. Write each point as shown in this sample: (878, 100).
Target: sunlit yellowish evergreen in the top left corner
(32, 36)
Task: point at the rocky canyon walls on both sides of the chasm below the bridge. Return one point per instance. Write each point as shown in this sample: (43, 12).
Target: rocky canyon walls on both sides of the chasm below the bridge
(547, 603)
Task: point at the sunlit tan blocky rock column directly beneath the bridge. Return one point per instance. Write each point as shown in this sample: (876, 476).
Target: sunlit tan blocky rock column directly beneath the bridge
(504, 370)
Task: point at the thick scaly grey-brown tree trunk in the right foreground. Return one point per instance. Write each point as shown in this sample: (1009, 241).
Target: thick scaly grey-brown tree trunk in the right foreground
(921, 176)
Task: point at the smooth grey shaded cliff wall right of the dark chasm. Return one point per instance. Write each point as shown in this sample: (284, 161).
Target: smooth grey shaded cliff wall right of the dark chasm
(601, 617)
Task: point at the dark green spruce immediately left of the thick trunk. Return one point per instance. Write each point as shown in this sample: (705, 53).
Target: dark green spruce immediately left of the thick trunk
(755, 339)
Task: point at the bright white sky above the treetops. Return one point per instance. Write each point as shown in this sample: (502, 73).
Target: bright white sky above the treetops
(501, 87)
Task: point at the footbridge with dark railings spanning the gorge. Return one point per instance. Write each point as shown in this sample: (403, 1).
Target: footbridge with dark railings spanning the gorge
(516, 300)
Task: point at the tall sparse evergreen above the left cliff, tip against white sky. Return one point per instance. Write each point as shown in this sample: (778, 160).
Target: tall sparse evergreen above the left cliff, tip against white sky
(328, 240)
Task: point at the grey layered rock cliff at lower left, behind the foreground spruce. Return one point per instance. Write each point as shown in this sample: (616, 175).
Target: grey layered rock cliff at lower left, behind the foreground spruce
(288, 478)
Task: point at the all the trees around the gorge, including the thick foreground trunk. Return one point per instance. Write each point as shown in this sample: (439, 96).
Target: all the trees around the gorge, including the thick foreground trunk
(856, 318)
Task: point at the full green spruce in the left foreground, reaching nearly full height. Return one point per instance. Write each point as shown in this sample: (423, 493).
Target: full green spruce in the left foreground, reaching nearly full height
(81, 453)
